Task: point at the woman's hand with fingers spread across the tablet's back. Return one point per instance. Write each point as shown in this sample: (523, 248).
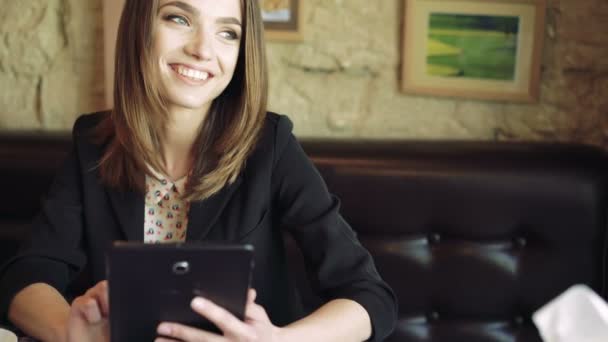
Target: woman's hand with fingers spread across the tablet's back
(256, 327)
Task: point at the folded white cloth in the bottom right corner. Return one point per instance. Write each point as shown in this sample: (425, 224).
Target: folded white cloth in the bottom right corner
(577, 315)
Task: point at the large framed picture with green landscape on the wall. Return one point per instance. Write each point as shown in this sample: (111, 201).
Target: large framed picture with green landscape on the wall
(480, 49)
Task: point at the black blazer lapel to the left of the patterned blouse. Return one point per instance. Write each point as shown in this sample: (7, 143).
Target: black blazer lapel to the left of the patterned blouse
(129, 209)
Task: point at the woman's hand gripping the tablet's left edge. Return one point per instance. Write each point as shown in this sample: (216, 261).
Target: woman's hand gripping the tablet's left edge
(88, 320)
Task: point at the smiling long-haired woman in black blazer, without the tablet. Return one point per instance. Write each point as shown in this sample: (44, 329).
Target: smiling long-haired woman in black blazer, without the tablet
(189, 134)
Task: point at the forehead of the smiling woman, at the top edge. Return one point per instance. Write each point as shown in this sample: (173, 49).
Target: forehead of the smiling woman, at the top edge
(209, 8)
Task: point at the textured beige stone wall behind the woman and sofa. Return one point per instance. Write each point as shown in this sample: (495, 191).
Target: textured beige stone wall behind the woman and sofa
(340, 81)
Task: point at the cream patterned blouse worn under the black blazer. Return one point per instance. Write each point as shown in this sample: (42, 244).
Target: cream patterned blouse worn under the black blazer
(166, 213)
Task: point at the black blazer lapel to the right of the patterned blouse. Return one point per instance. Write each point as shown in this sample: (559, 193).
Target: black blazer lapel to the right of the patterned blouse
(203, 214)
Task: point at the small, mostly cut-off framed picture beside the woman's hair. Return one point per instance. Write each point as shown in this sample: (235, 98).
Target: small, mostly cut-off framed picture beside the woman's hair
(282, 19)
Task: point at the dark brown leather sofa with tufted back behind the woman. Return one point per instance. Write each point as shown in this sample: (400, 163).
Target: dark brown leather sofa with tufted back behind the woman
(472, 236)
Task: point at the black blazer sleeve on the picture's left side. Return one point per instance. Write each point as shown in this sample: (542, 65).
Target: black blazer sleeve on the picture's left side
(53, 254)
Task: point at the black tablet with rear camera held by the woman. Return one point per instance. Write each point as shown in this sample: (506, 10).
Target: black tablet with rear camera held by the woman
(153, 283)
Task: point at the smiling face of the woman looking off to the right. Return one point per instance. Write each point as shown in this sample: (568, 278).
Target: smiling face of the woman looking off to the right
(196, 44)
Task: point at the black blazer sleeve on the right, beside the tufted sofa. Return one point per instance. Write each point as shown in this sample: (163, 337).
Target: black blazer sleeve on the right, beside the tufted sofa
(338, 266)
